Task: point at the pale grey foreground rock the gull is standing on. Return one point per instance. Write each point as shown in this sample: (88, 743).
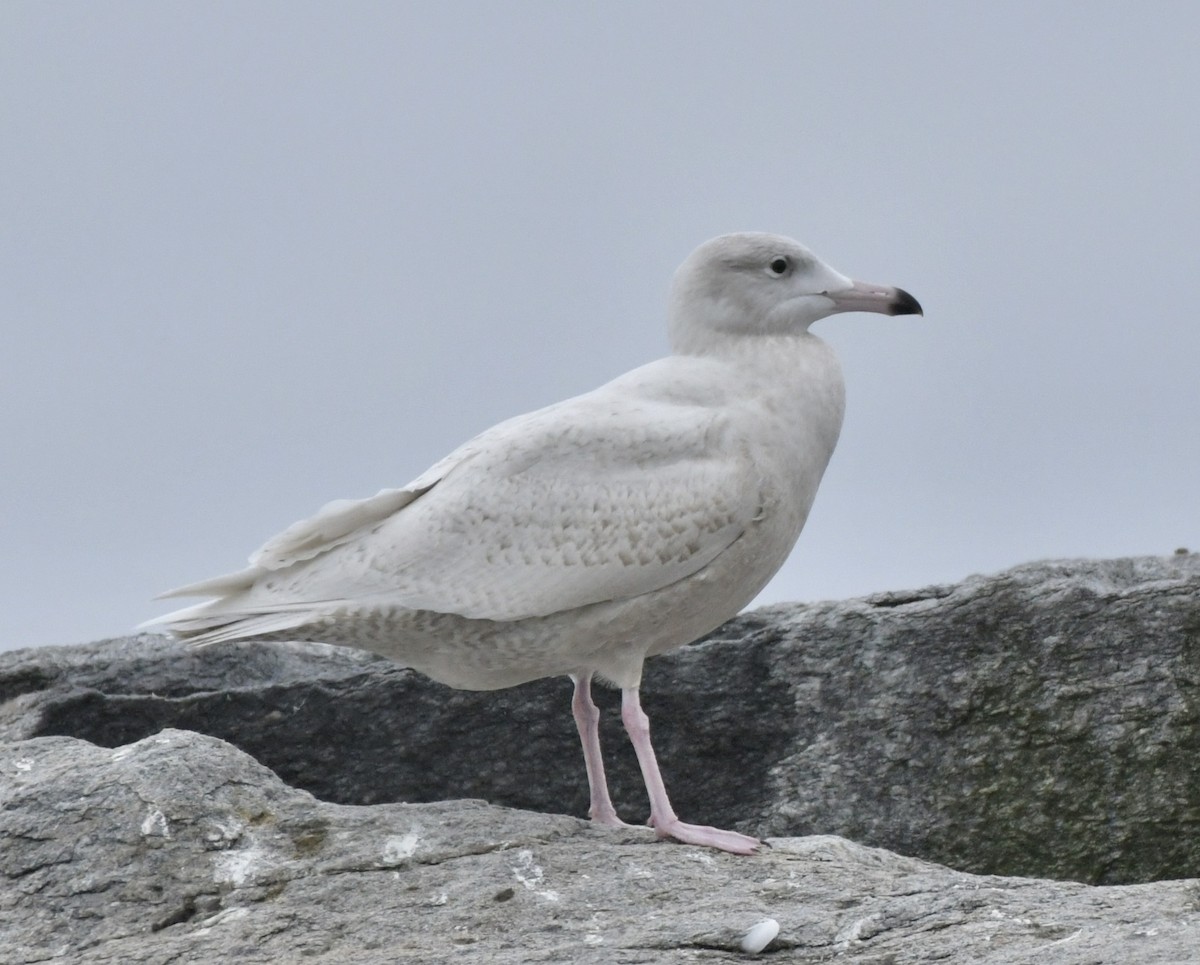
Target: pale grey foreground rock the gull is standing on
(181, 848)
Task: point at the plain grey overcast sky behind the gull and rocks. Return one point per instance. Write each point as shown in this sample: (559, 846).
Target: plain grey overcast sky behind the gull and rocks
(257, 256)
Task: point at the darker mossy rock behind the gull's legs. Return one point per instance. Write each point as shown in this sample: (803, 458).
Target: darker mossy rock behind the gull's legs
(1042, 722)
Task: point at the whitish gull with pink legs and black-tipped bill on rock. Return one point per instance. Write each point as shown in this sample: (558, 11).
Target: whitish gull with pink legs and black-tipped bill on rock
(587, 536)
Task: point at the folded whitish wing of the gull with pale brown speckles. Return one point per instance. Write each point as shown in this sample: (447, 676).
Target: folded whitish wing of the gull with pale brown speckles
(602, 498)
